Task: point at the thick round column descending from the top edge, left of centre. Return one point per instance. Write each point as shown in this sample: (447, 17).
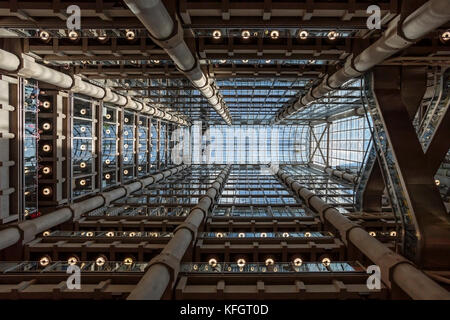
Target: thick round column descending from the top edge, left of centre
(169, 35)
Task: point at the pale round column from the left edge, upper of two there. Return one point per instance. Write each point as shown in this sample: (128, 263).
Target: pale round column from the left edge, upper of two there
(28, 68)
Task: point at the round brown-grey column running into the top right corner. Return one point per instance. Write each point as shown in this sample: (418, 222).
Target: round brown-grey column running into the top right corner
(397, 37)
